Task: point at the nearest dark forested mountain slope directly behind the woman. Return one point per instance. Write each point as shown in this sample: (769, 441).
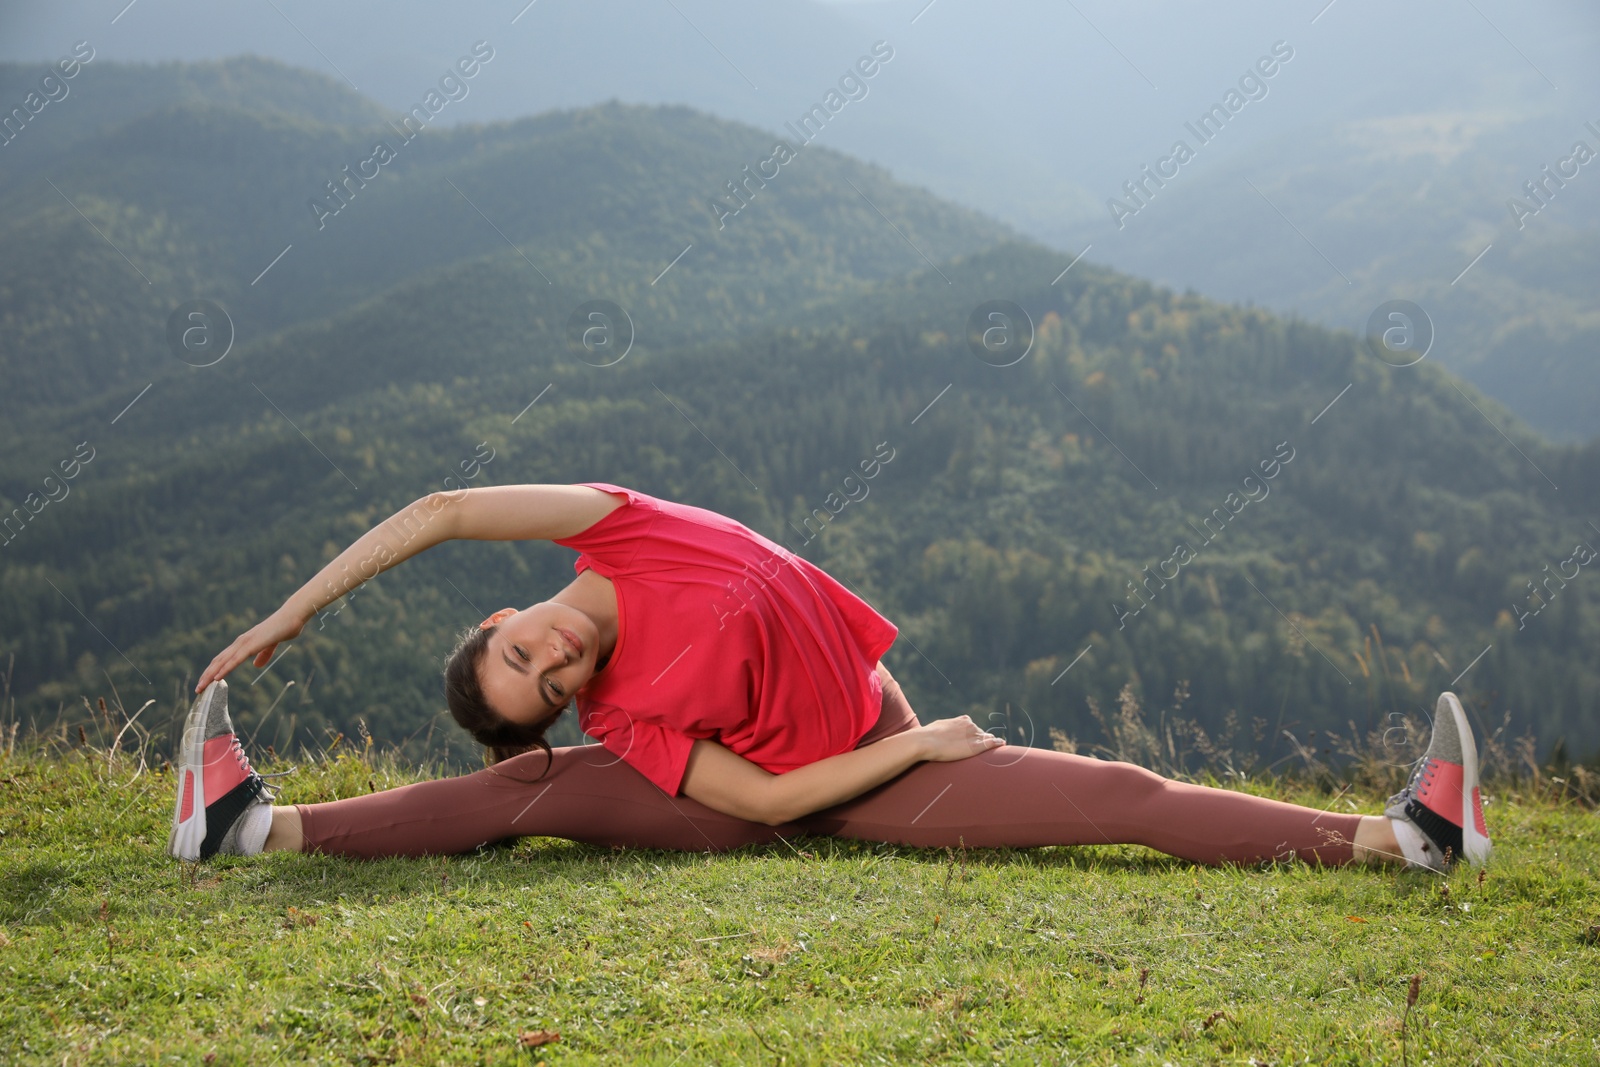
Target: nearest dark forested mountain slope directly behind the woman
(1002, 535)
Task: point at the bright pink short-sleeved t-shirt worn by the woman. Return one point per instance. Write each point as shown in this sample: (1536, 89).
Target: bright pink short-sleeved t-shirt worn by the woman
(724, 636)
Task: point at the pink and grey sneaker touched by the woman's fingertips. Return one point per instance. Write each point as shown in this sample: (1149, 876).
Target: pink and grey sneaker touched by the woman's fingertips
(220, 796)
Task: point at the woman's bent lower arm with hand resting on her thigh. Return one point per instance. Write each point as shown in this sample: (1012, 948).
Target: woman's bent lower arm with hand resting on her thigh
(729, 783)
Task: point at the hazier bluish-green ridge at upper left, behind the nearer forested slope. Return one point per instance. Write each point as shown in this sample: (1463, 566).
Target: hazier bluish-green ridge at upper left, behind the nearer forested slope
(193, 201)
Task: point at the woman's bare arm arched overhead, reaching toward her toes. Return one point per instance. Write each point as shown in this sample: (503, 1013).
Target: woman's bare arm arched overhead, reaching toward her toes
(510, 513)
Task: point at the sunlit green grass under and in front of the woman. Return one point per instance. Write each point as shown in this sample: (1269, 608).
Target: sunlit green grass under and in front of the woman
(830, 953)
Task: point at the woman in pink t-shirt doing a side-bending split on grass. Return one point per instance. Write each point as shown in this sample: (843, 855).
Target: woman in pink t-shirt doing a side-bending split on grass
(738, 695)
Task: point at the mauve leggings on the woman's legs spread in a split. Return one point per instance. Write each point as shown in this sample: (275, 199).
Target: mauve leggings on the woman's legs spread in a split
(1006, 797)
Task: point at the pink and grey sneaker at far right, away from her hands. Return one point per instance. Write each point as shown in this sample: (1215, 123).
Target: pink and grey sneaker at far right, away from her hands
(1442, 799)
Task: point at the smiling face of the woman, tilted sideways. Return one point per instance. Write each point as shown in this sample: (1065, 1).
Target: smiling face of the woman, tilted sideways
(537, 660)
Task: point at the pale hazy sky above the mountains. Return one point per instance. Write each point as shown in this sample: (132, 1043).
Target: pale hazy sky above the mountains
(1089, 87)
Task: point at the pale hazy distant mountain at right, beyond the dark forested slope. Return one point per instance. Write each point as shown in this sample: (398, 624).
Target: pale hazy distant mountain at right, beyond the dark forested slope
(1412, 207)
